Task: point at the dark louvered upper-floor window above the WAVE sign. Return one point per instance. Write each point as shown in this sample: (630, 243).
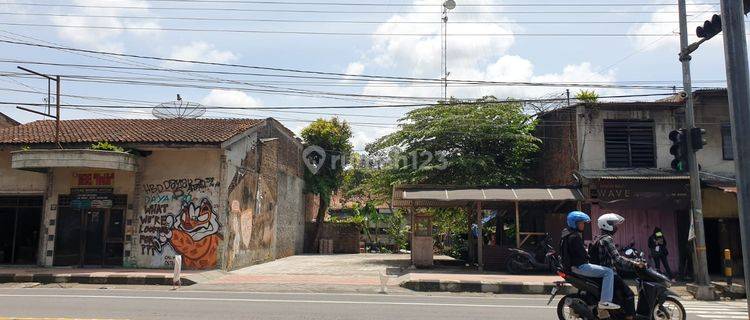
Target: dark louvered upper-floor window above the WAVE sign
(629, 144)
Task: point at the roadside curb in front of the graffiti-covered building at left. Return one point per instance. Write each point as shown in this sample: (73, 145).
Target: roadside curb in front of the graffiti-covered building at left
(83, 278)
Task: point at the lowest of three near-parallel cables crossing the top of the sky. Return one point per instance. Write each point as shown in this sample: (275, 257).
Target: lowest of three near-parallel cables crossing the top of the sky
(325, 33)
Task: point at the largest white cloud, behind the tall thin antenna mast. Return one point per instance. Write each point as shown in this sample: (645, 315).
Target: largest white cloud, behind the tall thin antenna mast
(483, 58)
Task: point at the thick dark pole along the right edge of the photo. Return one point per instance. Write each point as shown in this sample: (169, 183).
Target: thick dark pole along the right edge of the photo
(738, 86)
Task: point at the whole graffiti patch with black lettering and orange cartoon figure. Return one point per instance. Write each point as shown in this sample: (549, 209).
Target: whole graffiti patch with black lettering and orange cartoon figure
(180, 218)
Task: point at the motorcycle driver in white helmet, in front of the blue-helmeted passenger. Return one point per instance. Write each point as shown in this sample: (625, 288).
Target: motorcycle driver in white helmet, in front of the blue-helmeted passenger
(607, 255)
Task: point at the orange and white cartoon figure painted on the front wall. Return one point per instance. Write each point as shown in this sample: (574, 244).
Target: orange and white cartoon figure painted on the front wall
(194, 233)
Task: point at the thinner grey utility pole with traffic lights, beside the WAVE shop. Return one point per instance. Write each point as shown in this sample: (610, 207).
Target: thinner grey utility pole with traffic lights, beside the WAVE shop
(702, 279)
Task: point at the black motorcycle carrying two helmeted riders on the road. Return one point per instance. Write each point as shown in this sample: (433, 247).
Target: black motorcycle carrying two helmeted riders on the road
(655, 300)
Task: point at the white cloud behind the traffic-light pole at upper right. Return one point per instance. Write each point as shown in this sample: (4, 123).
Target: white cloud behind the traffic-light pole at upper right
(697, 13)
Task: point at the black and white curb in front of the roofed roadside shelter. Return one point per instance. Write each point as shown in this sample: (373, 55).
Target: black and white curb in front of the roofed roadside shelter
(484, 287)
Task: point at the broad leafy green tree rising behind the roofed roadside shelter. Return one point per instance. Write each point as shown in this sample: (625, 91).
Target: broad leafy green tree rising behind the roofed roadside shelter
(487, 142)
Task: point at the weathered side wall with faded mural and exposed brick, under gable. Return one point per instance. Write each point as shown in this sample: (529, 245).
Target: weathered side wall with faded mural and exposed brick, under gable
(265, 197)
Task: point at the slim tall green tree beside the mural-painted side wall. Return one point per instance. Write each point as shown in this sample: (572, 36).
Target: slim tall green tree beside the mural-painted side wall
(328, 142)
